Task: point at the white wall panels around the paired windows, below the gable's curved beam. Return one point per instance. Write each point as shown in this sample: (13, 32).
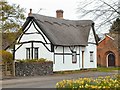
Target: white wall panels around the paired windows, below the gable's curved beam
(43, 52)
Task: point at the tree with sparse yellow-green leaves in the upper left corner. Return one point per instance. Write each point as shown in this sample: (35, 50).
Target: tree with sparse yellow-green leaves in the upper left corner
(11, 16)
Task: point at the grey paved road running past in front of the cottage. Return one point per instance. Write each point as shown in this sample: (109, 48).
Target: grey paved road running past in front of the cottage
(48, 81)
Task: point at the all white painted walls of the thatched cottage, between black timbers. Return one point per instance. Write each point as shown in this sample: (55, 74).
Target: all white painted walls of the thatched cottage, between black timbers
(58, 64)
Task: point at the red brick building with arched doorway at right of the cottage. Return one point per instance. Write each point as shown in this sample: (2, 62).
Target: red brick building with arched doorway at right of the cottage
(108, 53)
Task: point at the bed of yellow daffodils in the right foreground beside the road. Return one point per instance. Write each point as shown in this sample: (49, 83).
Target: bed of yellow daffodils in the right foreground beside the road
(90, 83)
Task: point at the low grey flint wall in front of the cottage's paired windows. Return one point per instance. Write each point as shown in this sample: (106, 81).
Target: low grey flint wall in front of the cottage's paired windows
(33, 69)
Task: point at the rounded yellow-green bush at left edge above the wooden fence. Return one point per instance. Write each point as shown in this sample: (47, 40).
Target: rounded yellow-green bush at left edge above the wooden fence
(6, 56)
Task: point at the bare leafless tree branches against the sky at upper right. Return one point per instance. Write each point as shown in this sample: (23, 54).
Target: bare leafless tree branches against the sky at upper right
(102, 11)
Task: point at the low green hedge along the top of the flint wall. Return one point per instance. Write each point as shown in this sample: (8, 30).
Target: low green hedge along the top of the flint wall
(33, 60)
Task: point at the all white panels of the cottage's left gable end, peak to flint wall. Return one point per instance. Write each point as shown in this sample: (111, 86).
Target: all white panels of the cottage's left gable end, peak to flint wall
(43, 52)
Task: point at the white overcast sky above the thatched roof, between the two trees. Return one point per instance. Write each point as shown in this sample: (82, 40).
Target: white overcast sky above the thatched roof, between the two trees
(49, 7)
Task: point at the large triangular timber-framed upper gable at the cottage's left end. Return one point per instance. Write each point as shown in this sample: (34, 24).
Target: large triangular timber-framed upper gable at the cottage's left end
(32, 33)
